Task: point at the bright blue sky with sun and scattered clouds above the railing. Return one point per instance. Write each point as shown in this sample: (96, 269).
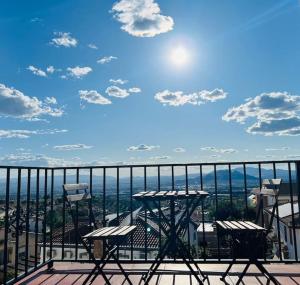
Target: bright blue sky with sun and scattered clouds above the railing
(199, 81)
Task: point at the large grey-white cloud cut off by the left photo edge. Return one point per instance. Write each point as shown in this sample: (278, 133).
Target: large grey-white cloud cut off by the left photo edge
(13, 103)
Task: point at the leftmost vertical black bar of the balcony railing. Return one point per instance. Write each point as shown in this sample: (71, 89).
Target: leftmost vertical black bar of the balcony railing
(5, 253)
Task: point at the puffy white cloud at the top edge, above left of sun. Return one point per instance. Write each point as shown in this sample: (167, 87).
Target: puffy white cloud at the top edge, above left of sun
(142, 18)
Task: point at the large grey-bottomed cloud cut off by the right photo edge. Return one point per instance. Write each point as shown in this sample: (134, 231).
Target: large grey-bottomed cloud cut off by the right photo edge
(276, 113)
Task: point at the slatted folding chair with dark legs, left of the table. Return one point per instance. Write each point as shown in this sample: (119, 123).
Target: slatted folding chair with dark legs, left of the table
(111, 237)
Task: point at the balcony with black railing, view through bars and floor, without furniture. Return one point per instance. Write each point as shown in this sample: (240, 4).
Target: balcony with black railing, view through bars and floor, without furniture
(37, 231)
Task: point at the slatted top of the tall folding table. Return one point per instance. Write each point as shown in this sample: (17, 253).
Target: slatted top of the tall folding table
(168, 195)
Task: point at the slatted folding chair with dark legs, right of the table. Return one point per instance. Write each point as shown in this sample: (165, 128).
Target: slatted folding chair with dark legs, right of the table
(248, 240)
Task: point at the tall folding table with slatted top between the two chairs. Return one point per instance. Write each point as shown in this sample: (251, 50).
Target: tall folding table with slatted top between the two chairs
(171, 226)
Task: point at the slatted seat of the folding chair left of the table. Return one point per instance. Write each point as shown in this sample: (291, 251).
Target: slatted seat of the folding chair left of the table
(110, 232)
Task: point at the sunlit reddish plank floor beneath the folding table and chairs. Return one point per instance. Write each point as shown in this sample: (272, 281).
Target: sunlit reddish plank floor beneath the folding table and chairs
(170, 274)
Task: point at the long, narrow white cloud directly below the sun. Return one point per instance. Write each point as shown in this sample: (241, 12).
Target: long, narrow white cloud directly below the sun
(178, 98)
